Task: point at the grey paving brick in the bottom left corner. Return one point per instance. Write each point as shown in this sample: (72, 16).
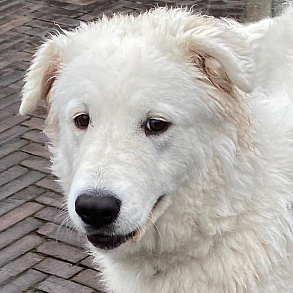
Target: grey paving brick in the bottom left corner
(23, 282)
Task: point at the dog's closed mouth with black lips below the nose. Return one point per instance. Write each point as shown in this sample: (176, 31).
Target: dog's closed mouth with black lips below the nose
(108, 242)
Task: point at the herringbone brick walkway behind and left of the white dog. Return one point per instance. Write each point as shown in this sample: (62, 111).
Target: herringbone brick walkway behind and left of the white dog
(37, 255)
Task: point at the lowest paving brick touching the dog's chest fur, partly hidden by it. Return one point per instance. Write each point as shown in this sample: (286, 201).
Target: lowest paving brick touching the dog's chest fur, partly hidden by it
(91, 279)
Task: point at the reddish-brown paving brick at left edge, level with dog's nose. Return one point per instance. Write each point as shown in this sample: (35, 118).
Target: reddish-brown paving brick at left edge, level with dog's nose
(18, 214)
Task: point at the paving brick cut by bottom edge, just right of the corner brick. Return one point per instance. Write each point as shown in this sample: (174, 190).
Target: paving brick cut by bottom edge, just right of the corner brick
(56, 285)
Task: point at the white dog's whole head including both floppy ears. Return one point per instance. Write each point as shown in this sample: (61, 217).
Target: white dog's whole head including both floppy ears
(135, 105)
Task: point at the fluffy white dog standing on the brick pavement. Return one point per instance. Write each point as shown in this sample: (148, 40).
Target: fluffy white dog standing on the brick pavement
(172, 136)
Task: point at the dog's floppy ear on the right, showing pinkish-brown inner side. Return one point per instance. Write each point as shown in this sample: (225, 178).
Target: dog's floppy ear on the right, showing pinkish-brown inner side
(221, 53)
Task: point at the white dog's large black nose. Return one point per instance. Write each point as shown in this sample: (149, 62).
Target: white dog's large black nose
(96, 210)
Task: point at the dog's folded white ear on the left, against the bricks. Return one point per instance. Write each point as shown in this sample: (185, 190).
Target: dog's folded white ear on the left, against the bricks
(42, 73)
